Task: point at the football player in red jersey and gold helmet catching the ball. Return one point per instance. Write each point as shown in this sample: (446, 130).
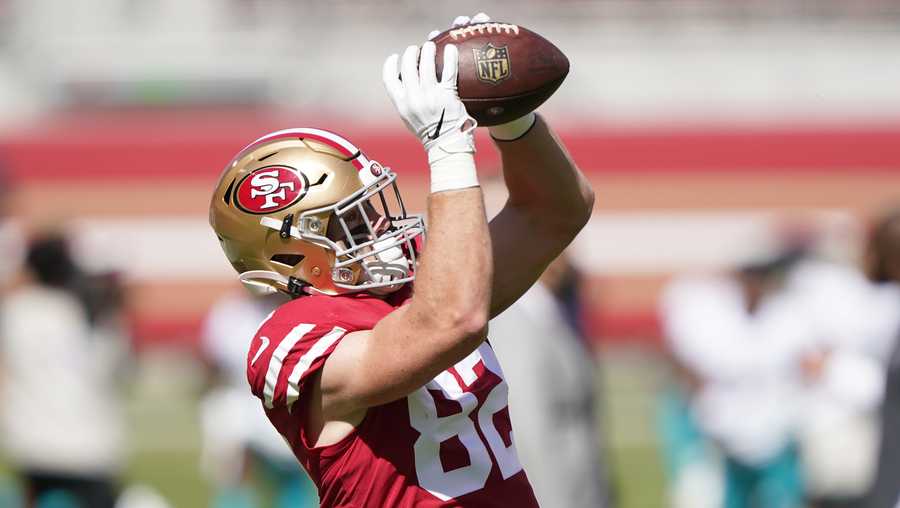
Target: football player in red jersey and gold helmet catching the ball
(387, 392)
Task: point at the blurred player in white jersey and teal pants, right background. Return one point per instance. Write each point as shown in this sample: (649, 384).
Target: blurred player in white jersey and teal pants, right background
(741, 345)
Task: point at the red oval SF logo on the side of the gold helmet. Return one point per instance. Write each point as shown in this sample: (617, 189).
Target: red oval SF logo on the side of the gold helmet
(270, 189)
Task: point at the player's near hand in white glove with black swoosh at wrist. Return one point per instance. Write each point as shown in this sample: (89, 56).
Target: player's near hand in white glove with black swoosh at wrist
(431, 109)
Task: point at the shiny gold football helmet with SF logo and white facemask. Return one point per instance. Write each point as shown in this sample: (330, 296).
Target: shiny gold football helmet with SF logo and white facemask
(304, 211)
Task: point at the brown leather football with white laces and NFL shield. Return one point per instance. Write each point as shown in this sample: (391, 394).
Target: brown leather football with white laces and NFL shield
(505, 70)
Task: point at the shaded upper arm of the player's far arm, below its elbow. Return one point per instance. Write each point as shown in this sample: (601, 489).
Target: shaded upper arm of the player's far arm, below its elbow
(522, 248)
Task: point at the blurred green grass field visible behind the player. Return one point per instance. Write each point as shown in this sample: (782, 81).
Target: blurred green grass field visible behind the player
(165, 454)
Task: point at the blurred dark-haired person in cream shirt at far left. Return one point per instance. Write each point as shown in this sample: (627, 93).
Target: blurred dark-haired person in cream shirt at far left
(62, 348)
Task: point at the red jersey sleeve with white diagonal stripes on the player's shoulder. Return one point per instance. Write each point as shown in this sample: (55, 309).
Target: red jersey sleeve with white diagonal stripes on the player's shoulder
(284, 354)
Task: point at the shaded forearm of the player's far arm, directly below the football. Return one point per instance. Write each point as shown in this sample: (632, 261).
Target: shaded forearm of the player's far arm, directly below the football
(543, 179)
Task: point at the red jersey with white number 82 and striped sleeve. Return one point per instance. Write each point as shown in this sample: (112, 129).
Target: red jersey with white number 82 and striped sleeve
(449, 443)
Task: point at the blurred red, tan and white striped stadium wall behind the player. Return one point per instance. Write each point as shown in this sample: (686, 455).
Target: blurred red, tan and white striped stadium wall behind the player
(134, 187)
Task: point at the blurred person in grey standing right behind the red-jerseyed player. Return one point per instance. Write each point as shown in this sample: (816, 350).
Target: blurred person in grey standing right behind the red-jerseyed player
(552, 394)
